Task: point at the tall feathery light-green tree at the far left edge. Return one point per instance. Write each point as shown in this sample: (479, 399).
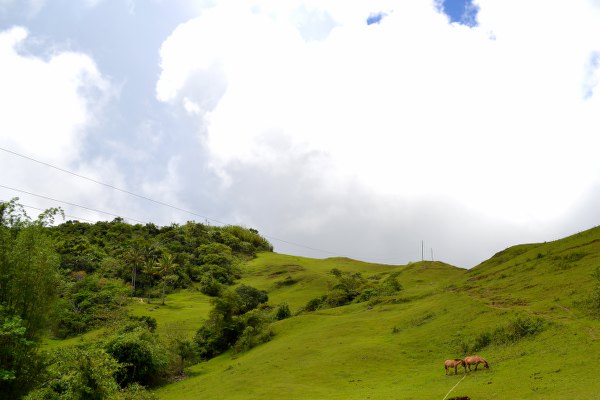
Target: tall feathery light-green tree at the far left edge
(28, 289)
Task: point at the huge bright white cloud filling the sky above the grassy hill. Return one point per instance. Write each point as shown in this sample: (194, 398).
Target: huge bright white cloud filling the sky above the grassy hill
(493, 116)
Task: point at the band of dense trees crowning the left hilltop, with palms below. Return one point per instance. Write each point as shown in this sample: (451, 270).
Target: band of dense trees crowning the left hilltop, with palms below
(118, 249)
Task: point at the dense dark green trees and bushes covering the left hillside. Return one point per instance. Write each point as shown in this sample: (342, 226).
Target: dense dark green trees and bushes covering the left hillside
(59, 280)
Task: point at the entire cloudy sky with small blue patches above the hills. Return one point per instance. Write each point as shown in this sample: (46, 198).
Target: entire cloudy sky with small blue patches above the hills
(382, 130)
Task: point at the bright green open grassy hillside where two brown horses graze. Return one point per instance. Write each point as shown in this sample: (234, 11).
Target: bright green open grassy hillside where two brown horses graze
(394, 347)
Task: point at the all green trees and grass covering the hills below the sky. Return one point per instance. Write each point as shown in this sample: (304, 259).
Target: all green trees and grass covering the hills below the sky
(236, 315)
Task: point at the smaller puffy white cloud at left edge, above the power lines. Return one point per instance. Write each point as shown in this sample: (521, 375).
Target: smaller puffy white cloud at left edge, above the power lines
(46, 104)
